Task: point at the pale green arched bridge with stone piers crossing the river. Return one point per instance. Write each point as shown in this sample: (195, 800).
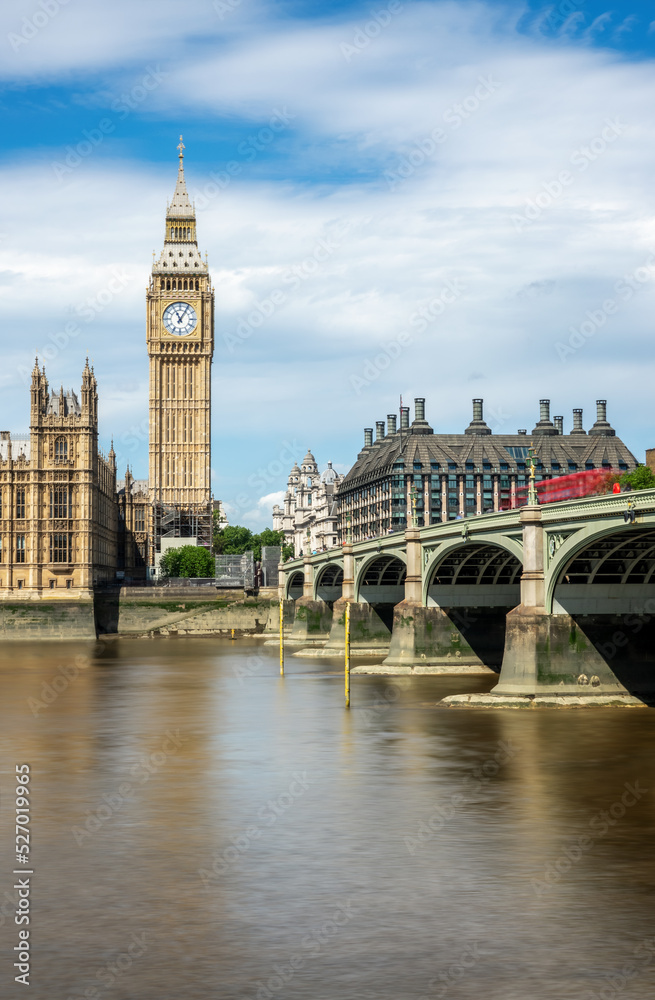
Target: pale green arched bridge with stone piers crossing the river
(558, 599)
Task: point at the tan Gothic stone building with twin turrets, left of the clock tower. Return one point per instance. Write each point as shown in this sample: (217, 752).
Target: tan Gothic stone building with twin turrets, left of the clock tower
(58, 492)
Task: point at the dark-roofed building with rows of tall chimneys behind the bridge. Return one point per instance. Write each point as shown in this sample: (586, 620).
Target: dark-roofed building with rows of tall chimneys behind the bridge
(459, 475)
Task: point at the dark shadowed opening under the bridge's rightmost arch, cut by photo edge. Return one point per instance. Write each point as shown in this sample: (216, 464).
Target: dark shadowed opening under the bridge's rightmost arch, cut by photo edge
(608, 589)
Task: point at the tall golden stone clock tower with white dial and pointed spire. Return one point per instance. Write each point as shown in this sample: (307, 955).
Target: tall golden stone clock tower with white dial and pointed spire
(180, 338)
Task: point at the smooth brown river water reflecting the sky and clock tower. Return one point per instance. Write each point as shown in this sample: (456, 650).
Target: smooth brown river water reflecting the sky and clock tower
(203, 828)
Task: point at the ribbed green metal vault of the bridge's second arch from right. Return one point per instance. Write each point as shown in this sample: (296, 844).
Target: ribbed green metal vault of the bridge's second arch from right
(485, 570)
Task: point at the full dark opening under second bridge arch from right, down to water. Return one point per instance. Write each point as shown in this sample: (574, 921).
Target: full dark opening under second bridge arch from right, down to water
(476, 585)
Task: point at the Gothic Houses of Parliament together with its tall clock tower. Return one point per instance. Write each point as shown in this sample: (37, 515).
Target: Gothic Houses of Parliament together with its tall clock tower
(67, 524)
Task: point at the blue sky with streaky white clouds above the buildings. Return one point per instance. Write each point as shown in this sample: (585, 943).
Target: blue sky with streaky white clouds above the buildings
(435, 199)
